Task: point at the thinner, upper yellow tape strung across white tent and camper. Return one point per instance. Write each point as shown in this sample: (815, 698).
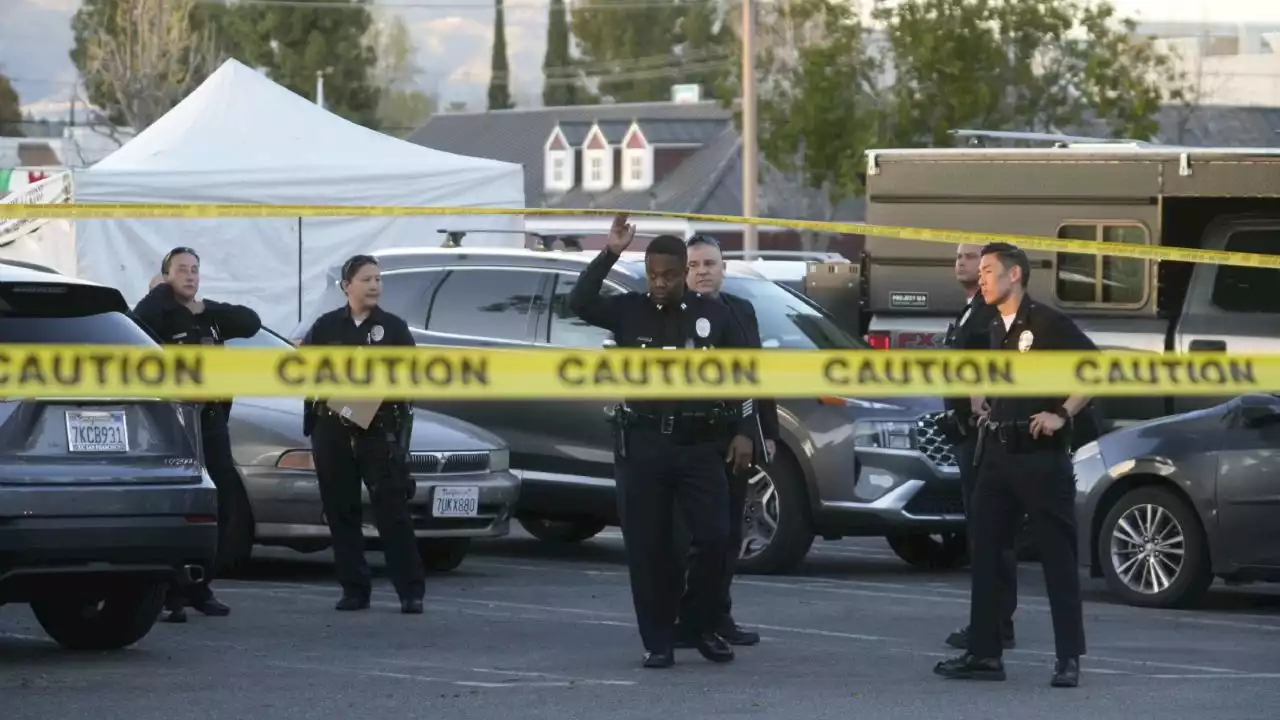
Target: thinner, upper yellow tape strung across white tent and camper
(85, 212)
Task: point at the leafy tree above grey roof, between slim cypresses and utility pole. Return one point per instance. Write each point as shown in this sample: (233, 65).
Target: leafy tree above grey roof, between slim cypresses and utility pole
(637, 52)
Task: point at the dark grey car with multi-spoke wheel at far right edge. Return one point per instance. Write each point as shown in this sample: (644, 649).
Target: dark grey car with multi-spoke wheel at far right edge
(1168, 505)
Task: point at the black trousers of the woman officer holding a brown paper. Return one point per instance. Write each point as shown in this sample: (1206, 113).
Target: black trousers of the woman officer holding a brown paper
(345, 455)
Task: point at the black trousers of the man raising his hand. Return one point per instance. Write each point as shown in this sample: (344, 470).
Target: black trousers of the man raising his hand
(657, 477)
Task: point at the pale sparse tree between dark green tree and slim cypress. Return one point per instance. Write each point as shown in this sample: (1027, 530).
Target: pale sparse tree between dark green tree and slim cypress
(401, 104)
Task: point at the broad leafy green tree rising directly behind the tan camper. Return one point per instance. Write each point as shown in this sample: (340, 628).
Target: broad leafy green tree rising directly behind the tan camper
(1021, 65)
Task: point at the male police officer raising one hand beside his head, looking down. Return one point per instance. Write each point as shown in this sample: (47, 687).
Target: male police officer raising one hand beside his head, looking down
(670, 454)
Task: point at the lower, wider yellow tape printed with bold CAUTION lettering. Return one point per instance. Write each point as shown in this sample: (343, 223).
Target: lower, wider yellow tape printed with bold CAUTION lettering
(195, 373)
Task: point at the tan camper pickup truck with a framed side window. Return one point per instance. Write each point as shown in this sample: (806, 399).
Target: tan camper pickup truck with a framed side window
(1197, 198)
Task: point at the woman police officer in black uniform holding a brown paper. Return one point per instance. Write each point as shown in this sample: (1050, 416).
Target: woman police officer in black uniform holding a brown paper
(346, 454)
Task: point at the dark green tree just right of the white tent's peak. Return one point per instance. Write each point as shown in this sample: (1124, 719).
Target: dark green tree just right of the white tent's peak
(298, 43)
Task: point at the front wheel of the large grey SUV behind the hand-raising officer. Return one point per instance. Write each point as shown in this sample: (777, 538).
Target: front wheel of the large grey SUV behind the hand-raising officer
(778, 531)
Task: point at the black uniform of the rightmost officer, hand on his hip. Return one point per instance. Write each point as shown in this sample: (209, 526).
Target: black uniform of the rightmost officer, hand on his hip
(1018, 473)
